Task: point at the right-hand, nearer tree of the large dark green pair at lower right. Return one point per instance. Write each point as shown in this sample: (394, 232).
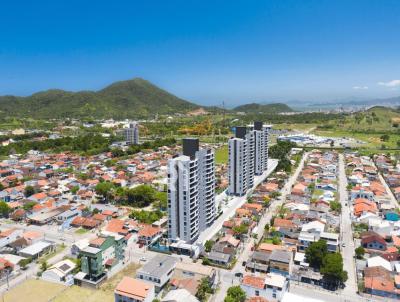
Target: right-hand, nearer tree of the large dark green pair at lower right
(332, 268)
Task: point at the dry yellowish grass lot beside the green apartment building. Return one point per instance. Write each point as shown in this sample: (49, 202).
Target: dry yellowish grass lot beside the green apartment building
(33, 290)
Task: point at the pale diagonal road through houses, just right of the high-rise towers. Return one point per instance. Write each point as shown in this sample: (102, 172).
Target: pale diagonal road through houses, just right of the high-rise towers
(227, 278)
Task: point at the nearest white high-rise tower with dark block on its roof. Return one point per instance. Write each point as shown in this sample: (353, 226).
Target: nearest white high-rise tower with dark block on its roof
(191, 192)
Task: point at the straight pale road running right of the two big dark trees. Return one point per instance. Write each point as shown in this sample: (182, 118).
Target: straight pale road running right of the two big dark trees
(346, 234)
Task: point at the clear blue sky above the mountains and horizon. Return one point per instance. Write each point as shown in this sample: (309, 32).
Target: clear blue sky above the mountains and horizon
(205, 51)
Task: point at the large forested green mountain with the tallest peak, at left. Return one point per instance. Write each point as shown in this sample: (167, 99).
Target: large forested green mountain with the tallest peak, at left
(126, 99)
